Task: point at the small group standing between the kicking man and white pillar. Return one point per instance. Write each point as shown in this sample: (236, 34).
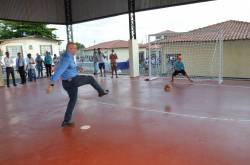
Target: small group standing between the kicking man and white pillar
(99, 59)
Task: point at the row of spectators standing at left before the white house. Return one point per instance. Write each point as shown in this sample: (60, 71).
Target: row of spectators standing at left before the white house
(28, 67)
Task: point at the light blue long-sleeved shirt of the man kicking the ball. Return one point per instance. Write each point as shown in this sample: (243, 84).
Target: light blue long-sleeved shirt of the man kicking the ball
(66, 68)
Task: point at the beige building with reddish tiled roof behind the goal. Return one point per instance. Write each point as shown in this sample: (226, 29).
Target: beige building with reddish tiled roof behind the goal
(222, 48)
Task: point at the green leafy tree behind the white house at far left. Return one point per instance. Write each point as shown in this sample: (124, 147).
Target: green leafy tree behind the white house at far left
(11, 29)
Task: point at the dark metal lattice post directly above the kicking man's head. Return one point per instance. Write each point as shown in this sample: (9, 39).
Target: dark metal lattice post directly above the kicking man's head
(68, 17)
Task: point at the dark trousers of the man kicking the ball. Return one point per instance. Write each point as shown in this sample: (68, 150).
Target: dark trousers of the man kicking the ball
(71, 86)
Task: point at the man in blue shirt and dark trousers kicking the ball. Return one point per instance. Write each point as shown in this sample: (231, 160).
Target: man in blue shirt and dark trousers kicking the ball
(67, 71)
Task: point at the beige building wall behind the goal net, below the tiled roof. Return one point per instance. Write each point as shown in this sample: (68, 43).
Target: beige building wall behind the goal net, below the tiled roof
(202, 59)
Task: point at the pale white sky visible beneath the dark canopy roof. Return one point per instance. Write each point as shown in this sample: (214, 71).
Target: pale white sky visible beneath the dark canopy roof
(178, 19)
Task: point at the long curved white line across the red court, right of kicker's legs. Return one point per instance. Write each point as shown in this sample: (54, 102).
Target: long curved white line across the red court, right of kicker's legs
(172, 113)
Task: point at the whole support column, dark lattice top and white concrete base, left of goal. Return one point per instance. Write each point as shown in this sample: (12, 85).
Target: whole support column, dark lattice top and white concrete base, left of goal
(133, 44)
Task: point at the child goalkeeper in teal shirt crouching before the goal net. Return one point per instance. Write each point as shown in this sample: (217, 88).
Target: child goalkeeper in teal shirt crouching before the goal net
(179, 69)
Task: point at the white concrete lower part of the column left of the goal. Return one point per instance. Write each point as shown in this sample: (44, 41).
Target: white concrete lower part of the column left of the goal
(133, 58)
